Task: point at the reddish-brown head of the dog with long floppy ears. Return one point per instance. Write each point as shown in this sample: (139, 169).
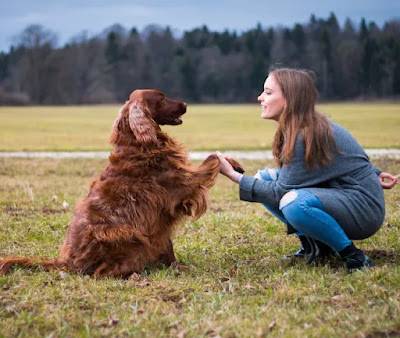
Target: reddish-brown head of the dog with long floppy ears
(143, 113)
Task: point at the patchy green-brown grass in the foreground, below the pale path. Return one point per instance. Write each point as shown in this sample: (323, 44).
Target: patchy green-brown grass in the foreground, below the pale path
(237, 285)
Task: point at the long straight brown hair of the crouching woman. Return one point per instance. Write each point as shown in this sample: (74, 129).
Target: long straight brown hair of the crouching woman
(300, 118)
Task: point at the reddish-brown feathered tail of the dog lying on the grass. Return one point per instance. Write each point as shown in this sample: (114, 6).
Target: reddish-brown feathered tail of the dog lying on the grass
(48, 264)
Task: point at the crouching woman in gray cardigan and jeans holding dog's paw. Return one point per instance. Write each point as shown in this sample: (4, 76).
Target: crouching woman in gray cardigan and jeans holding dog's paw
(326, 189)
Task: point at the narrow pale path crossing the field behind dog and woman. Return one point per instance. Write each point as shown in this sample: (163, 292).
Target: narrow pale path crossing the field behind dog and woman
(195, 155)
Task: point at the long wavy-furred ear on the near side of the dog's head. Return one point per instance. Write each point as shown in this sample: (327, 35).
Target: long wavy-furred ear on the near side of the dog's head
(144, 128)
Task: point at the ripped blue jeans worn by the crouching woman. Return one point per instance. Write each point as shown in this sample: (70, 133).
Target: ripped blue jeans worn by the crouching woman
(305, 213)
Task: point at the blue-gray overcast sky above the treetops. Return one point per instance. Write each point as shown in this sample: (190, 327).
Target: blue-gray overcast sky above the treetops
(68, 18)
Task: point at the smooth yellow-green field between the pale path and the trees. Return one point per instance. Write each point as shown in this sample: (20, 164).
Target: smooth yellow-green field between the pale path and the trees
(205, 127)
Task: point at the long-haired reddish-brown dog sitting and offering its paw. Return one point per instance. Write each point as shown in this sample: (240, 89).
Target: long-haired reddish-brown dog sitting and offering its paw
(130, 214)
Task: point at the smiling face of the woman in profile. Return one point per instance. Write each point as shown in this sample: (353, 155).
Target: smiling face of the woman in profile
(272, 100)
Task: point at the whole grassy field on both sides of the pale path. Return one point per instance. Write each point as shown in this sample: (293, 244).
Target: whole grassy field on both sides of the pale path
(237, 284)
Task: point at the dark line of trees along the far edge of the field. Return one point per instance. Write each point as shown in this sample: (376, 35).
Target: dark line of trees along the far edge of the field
(200, 65)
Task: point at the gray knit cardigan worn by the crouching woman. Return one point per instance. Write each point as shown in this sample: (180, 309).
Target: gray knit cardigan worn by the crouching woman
(349, 188)
